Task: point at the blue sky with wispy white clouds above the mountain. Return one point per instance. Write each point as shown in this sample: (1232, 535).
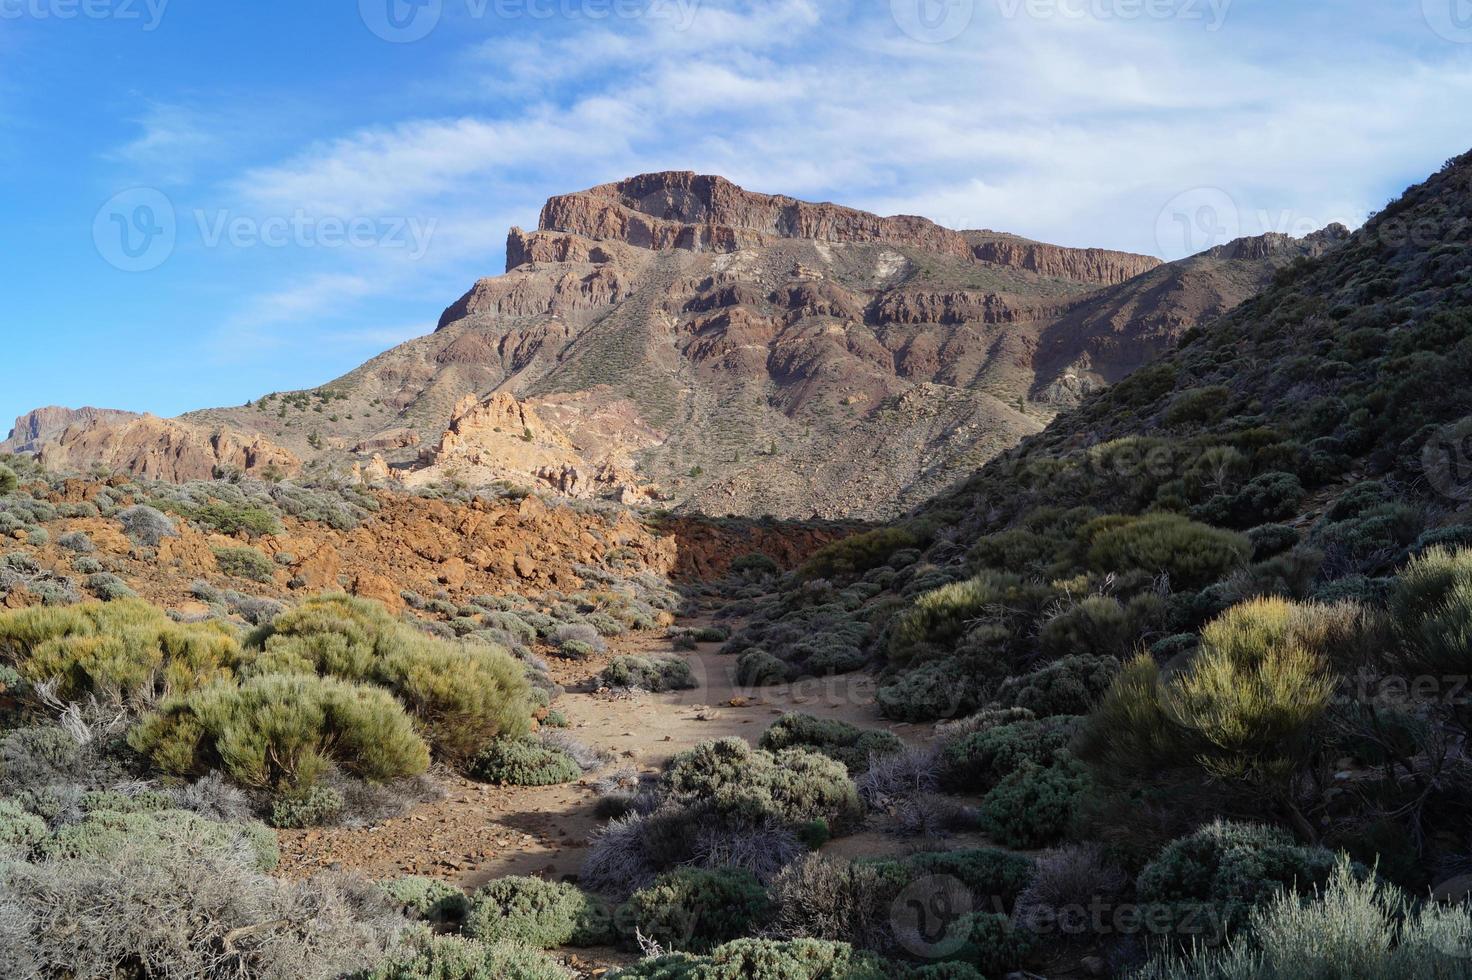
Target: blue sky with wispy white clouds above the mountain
(207, 201)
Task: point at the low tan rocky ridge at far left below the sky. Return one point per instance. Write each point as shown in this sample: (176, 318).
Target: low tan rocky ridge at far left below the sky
(163, 450)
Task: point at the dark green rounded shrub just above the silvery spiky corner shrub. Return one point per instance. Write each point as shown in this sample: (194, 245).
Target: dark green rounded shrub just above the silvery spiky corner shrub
(1233, 867)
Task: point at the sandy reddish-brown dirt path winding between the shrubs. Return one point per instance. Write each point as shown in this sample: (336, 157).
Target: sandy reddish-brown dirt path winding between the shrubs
(478, 834)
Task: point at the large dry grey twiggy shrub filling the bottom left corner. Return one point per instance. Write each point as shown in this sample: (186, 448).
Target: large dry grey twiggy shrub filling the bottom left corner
(105, 913)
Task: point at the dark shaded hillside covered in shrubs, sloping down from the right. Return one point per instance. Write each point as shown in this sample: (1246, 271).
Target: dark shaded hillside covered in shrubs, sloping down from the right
(1234, 588)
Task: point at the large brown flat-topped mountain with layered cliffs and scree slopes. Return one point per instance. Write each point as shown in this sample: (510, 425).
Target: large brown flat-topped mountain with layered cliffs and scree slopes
(750, 354)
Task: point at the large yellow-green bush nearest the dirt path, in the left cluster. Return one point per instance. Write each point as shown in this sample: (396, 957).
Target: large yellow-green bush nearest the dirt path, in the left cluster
(461, 694)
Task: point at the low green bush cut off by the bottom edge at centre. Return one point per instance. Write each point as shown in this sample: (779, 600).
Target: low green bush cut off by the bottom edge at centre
(766, 960)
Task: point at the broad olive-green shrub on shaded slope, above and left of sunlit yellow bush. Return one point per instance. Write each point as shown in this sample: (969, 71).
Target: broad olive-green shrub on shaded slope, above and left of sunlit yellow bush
(1195, 555)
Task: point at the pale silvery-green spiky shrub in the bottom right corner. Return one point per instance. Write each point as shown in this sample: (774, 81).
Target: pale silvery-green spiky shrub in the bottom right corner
(1352, 928)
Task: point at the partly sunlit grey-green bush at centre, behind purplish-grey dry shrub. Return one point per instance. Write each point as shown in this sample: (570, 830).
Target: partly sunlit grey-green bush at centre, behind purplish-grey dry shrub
(793, 785)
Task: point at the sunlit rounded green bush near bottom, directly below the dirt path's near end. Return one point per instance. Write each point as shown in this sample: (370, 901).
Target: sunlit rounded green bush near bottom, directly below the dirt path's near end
(534, 913)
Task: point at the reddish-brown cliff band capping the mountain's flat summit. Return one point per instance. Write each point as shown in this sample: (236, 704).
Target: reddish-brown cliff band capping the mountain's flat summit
(698, 213)
